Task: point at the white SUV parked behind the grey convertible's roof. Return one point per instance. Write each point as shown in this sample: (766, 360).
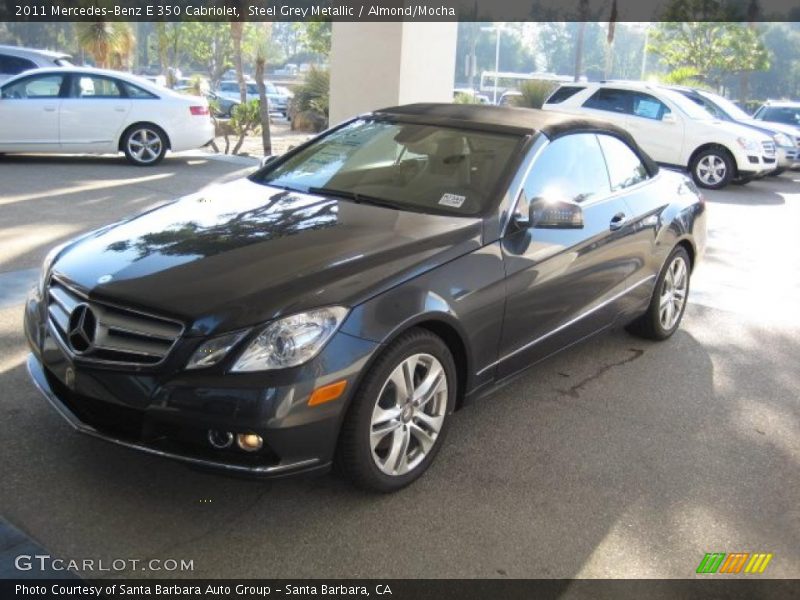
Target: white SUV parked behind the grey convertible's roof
(673, 130)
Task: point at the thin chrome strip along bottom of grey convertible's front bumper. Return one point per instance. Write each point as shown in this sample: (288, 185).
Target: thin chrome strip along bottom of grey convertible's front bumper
(37, 376)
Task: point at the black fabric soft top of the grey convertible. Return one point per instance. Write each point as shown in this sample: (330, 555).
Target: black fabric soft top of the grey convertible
(504, 119)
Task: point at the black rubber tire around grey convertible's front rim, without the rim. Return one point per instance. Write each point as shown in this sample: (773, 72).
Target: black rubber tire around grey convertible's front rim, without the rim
(356, 459)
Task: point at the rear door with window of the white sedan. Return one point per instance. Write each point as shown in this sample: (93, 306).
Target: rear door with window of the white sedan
(94, 114)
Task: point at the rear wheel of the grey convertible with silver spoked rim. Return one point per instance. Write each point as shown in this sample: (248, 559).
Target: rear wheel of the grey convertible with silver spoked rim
(652, 324)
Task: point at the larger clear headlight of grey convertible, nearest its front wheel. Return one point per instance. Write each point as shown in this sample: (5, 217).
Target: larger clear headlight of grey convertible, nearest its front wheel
(291, 341)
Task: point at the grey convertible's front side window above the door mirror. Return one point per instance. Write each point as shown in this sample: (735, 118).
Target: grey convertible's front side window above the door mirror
(570, 168)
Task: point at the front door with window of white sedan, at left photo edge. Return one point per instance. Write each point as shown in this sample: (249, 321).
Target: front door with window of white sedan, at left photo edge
(29, 114)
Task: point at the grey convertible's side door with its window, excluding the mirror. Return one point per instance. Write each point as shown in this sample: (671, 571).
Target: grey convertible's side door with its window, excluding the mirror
(563, 284)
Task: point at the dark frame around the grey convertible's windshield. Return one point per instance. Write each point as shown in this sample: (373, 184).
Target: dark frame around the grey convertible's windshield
(496, 196)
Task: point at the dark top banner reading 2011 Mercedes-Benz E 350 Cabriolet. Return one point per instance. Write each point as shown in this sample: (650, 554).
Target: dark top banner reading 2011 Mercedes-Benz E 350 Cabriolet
(399, 10)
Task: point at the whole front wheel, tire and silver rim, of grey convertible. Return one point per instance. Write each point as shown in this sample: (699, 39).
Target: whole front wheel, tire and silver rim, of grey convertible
(387, 439)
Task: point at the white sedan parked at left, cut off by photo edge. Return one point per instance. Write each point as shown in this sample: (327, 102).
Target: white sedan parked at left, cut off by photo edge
(83, 110)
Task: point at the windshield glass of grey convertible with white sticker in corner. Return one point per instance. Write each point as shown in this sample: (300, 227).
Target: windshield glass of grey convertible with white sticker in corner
(414, 167)
